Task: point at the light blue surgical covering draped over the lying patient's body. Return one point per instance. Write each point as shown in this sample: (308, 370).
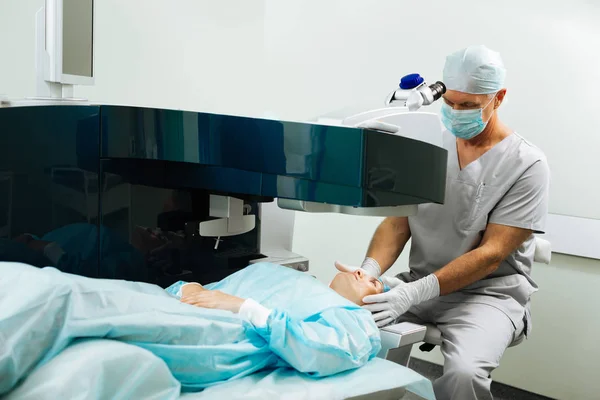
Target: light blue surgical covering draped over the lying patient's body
(311, 328)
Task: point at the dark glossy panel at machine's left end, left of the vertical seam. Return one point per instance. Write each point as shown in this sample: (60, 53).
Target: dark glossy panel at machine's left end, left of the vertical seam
(49, 187)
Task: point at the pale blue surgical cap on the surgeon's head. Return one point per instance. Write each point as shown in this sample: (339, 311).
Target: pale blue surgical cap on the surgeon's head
(475, 70)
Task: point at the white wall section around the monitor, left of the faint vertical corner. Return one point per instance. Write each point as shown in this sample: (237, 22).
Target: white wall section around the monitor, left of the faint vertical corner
(195, 55)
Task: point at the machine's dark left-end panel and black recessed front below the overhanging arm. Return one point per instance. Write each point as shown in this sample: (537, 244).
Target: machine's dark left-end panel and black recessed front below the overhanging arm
(62, 206)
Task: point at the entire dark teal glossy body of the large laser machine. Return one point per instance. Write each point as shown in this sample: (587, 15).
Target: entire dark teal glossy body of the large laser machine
(118, 192)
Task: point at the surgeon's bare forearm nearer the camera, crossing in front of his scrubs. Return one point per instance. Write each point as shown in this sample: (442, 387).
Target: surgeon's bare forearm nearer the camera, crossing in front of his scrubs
(467, 269)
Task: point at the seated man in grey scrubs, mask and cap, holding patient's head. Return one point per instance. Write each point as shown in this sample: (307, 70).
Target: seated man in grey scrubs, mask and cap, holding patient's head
(471, 258)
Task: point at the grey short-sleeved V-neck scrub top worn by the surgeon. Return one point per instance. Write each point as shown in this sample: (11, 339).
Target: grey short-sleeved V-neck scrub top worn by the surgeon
(507, 185)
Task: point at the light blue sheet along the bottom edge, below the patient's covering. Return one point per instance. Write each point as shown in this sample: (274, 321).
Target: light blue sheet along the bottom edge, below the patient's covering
(99, 369)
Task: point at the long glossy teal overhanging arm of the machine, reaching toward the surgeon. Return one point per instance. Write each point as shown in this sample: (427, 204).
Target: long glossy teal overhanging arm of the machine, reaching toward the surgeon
(300, 161)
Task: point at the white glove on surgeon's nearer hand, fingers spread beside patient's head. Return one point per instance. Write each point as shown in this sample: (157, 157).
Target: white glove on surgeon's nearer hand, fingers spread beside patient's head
(387, 307)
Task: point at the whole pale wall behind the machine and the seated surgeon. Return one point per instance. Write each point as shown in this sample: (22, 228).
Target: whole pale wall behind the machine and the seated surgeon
(300, 59)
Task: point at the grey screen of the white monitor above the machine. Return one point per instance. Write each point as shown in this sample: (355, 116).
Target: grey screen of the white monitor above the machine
(78, 41)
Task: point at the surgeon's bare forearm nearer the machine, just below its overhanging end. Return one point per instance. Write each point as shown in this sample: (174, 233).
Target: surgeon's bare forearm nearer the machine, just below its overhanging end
(389, 241)
